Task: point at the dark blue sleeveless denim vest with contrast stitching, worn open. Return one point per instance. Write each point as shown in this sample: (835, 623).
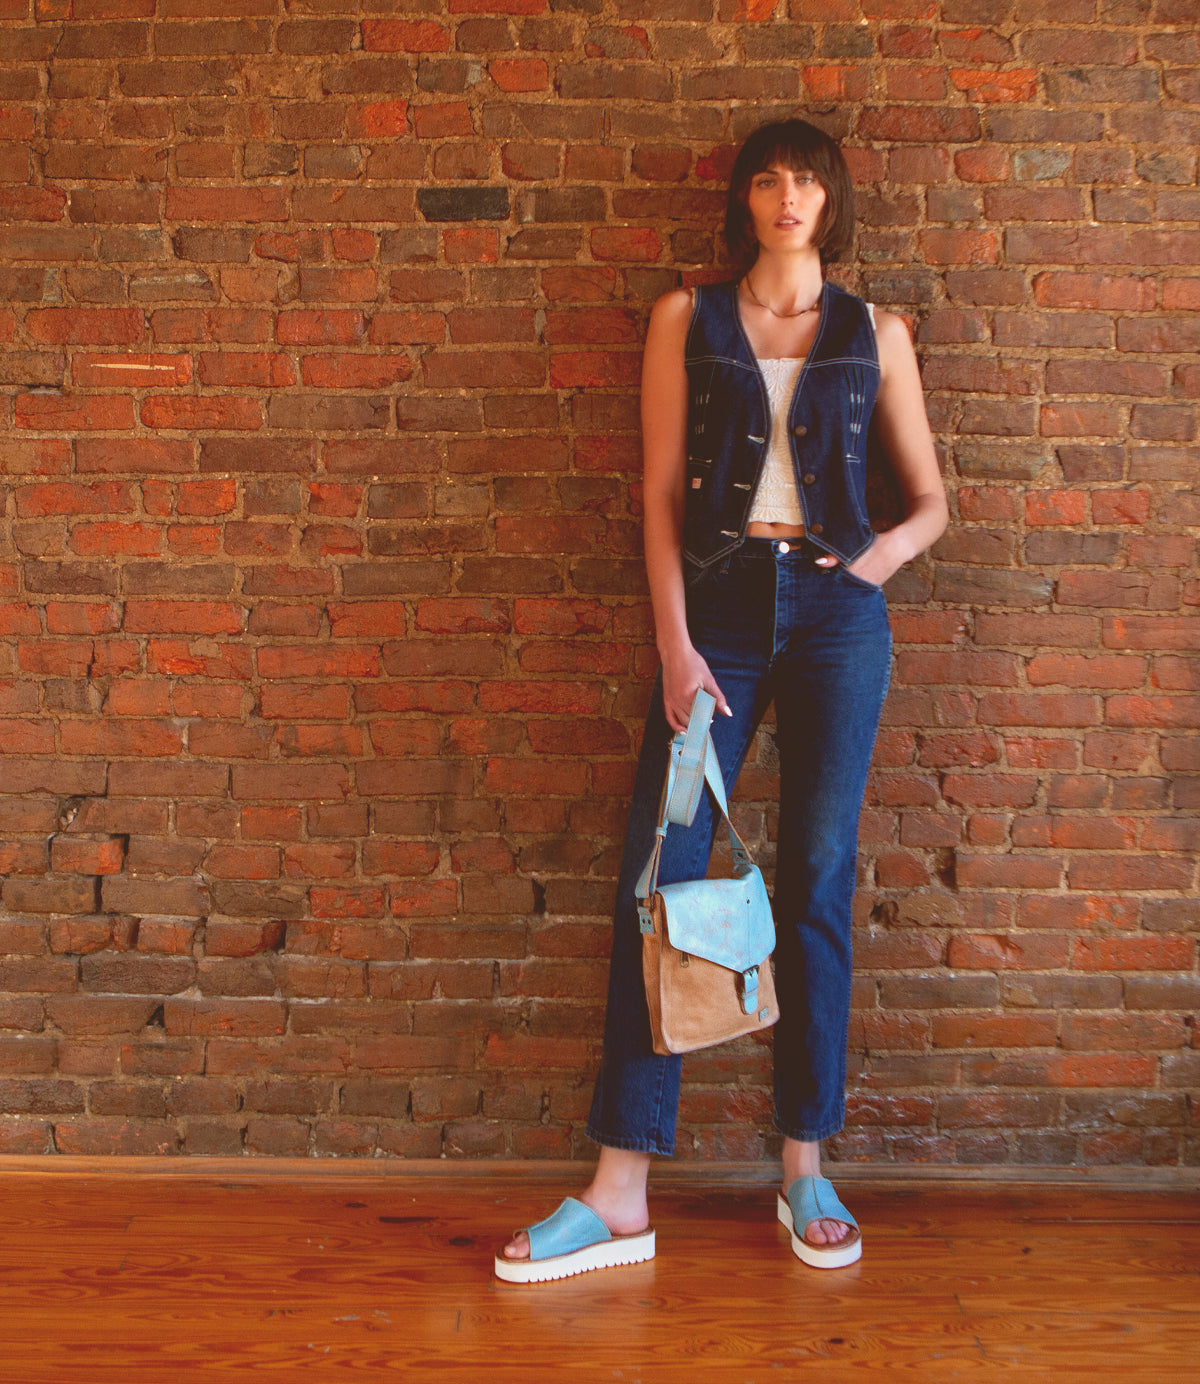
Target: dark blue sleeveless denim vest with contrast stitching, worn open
(730, 427)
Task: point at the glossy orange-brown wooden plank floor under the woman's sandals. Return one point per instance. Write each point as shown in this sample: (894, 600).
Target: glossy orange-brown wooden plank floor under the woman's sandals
(251, 1274)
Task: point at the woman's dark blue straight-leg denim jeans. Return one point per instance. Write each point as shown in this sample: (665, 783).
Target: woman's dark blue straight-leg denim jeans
(770, 625)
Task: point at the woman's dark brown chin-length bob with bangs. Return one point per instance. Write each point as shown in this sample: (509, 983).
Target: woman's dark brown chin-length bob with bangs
(802, 147)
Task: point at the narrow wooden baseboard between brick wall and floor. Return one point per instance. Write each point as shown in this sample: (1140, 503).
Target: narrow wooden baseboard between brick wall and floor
(556, 1172)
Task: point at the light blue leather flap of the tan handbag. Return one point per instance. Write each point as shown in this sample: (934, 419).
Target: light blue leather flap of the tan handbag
(725, 921)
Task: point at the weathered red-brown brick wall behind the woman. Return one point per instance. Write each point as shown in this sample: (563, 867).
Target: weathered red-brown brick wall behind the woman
(325, 643)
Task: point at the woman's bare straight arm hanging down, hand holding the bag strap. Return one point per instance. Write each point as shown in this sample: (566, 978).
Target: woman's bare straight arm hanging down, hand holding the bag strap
(665, 449)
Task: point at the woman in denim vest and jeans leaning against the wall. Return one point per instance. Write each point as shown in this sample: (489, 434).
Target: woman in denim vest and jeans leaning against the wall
(766, 586)
